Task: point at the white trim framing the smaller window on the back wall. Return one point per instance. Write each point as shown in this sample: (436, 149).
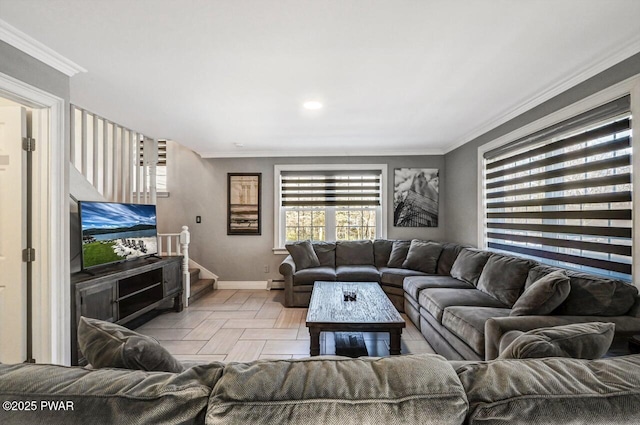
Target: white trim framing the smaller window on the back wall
(278, 244)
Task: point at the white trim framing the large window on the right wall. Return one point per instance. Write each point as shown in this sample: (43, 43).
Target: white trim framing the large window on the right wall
(629, 86)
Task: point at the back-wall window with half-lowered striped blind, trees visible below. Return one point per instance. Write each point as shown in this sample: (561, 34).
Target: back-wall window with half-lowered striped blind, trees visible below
(329, 204)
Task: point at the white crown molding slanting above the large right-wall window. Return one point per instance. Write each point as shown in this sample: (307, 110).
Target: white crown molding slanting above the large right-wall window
(626, 51)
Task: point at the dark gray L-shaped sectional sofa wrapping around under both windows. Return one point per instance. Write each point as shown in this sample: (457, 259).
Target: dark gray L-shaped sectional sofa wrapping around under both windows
(461, 299)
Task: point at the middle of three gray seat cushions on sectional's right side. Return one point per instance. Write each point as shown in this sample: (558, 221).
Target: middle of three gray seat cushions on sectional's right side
(435, 300)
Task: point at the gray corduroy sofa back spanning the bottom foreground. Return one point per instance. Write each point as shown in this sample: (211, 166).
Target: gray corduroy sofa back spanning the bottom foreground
(413, 389)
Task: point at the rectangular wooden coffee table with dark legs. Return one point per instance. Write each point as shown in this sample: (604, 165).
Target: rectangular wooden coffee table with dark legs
(372, 311)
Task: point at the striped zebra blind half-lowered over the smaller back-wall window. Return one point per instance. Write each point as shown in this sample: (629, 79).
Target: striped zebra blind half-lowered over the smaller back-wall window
(340, 190)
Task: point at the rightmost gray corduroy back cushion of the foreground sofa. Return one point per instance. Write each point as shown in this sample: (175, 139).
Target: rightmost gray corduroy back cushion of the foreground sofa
(553, 391)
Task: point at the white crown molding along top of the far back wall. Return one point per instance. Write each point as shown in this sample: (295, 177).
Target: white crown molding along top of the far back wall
(284, 154)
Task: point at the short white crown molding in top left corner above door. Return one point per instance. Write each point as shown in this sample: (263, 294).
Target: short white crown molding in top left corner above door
(21, 41)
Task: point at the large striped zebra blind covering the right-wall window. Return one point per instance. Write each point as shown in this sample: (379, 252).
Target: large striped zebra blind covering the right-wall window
(565, 198)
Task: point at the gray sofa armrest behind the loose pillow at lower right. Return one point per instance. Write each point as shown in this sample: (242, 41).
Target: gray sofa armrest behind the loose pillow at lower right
(496, 327)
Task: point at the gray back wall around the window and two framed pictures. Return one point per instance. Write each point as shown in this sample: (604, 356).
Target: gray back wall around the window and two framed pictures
(199, 187)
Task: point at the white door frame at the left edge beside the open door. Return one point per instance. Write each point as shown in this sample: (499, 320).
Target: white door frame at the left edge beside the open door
(51, 270)
